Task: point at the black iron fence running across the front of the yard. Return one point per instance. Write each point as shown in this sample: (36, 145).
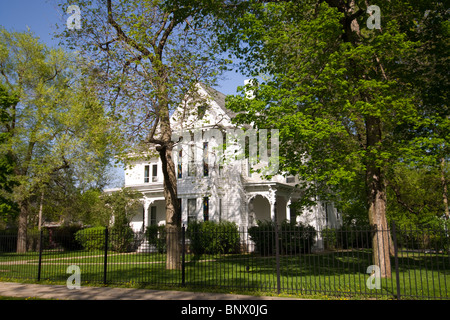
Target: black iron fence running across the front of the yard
(289, 260)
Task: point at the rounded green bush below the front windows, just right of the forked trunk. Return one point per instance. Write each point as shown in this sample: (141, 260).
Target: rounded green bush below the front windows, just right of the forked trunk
(210, 237)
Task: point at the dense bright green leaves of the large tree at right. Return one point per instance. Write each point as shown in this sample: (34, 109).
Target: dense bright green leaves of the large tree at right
(345, 98)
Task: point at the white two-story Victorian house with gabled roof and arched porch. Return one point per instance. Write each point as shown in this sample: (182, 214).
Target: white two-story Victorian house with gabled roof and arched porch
(211, 190)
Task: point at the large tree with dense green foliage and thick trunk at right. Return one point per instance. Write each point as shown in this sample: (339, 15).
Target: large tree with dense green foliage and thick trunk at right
(337, 89)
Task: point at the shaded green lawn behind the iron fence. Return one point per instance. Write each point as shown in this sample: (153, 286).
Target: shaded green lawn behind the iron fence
(340, 274)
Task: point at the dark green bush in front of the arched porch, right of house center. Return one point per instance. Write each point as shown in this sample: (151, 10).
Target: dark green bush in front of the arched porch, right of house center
(292, 238)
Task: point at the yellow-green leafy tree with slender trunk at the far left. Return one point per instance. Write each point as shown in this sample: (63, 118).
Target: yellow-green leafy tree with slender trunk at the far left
(57, 123)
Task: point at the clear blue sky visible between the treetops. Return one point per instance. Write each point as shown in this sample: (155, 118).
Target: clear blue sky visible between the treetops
(41, 16)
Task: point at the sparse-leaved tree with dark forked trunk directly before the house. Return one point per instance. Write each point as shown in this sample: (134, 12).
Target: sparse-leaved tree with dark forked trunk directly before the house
(151, 55)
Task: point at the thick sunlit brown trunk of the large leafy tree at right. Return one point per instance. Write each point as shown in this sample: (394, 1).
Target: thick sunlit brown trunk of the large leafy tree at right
(377, 202)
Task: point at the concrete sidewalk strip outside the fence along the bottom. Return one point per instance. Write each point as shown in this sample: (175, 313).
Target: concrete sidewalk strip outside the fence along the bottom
(61, 292)
